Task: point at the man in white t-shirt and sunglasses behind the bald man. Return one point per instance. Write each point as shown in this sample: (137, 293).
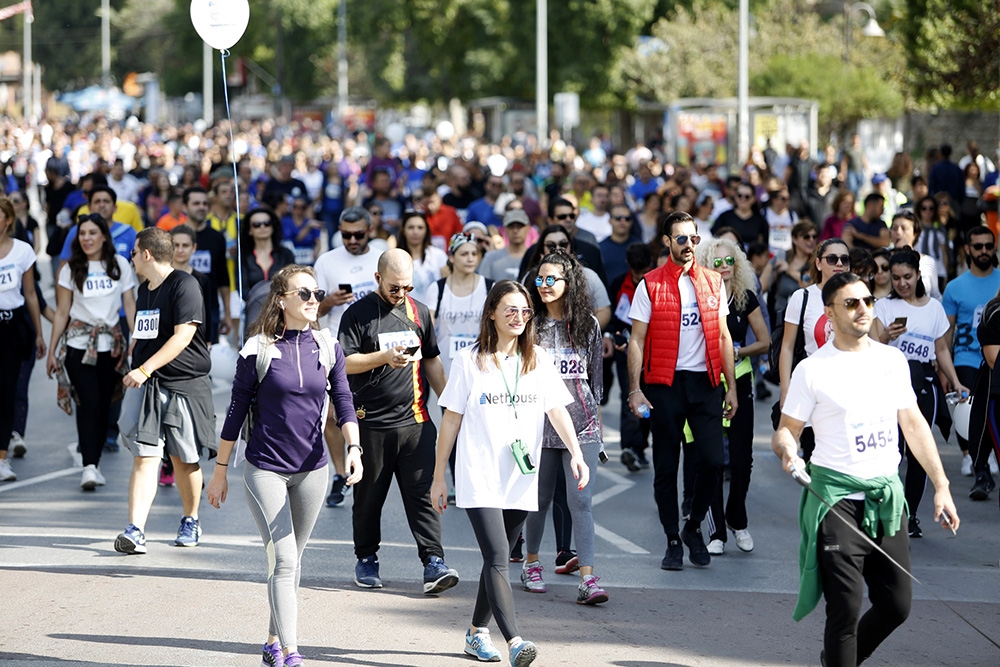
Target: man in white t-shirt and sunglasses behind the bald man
(353, 264)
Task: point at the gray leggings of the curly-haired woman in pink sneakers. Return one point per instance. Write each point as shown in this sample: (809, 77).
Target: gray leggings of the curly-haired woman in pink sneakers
(578, 500)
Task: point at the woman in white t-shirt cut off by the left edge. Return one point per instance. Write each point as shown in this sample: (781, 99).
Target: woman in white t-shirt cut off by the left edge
(19, 312)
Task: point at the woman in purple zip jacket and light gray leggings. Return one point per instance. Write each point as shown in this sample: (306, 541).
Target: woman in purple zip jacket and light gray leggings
(286, 473)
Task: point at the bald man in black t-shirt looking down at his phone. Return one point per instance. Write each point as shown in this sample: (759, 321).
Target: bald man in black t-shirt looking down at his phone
(392, 355)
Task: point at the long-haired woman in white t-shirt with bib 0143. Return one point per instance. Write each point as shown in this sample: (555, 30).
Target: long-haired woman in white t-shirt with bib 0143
(88, 349)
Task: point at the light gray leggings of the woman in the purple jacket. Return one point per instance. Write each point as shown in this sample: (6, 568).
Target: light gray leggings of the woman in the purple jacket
(285, 508)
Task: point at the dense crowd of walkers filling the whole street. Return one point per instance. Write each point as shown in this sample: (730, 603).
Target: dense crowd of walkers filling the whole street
(515, 284)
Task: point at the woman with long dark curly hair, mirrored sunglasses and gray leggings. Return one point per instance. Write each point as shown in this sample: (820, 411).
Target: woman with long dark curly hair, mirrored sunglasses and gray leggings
(567, 329)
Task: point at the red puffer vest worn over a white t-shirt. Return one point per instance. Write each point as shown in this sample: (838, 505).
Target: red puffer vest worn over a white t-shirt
(659, 358)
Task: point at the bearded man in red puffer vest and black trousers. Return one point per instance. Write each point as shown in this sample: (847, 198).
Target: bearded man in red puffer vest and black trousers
(679, 351)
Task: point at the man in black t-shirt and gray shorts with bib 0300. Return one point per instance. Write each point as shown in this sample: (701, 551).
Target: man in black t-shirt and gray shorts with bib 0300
(168, 397)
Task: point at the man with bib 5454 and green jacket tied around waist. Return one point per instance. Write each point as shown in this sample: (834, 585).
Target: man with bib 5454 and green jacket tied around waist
(854, 469)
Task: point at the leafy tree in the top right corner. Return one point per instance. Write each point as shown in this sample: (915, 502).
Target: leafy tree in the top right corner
(953, 52)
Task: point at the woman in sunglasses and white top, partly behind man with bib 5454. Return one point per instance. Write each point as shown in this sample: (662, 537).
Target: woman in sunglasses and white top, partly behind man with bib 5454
(832, 257)
